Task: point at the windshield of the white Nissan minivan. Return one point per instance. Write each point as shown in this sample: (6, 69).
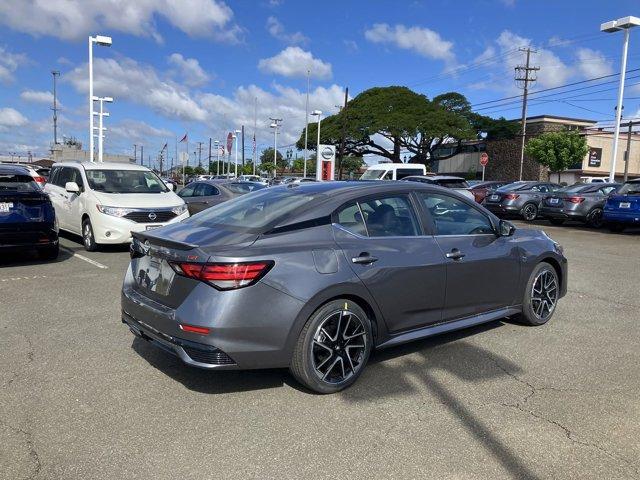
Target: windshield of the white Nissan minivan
(125, 181)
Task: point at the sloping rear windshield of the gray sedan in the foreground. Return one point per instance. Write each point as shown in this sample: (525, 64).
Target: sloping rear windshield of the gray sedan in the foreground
(253, 212)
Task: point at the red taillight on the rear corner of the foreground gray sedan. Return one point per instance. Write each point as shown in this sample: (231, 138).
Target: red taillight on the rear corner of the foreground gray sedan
(224, 276)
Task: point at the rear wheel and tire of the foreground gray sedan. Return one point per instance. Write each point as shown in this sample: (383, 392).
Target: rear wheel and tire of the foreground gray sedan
(333, 347)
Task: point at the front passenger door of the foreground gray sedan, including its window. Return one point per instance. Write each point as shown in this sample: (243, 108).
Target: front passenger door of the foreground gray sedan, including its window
(482, 269)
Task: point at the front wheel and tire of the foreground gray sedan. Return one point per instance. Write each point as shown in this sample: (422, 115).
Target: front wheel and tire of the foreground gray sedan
(541, 295)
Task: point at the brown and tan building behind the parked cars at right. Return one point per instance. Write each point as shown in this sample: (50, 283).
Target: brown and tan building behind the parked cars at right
(504, 155)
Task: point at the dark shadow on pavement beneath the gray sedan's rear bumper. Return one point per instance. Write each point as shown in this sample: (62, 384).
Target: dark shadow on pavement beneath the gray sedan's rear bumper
(207, 381)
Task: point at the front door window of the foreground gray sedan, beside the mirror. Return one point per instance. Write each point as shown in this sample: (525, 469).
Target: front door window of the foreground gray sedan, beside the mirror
(451, 216)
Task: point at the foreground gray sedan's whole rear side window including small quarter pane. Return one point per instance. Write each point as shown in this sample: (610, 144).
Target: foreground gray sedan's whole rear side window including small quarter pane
(380, 217)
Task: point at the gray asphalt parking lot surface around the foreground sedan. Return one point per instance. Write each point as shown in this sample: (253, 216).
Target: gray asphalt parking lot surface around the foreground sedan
(80, 398)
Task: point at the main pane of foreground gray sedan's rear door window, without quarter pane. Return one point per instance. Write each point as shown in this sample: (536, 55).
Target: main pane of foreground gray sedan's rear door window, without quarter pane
(389, 217)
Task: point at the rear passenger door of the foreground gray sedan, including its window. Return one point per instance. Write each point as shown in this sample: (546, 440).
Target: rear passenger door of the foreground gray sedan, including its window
(402, 268)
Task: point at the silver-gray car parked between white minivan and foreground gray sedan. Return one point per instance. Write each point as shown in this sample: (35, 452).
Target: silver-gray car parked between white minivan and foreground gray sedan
(201, 195)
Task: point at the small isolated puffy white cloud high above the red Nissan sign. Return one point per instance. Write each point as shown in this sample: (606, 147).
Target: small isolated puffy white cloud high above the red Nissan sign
(294, 62)
